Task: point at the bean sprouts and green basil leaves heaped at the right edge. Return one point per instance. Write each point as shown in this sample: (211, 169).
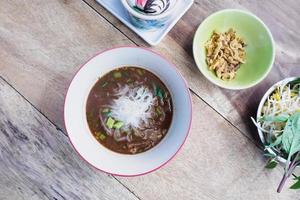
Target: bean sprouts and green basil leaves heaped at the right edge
(280, 124)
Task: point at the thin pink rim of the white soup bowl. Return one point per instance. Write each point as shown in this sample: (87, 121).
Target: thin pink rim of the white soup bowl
(190, 111)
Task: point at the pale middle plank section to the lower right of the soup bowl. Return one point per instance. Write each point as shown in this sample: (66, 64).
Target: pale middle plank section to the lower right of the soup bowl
(216, 163)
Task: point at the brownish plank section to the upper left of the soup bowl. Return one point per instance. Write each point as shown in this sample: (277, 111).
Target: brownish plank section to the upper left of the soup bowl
(44, 43)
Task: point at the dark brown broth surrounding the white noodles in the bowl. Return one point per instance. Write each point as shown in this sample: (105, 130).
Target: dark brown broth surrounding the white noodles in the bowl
(102, 95)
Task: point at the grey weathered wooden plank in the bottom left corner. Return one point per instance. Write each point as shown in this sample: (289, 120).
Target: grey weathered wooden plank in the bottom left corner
(38, 162)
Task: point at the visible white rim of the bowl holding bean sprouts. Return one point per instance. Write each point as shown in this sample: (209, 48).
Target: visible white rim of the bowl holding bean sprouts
(259, 111)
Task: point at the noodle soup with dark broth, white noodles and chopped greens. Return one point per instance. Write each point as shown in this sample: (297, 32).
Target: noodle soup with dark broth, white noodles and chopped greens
(129, 110)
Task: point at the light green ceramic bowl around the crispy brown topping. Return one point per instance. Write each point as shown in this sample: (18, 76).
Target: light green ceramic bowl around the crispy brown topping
(260, 50)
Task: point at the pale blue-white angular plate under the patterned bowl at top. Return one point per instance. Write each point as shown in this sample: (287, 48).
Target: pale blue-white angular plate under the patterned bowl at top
(152, 37)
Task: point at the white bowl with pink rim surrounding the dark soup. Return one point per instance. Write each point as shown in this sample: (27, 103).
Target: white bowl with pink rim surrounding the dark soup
(83, 140)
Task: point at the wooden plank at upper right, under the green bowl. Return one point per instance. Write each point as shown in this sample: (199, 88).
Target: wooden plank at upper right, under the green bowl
(282, 17)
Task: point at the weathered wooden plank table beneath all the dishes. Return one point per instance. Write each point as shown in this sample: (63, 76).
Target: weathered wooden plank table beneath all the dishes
(42, 45)
